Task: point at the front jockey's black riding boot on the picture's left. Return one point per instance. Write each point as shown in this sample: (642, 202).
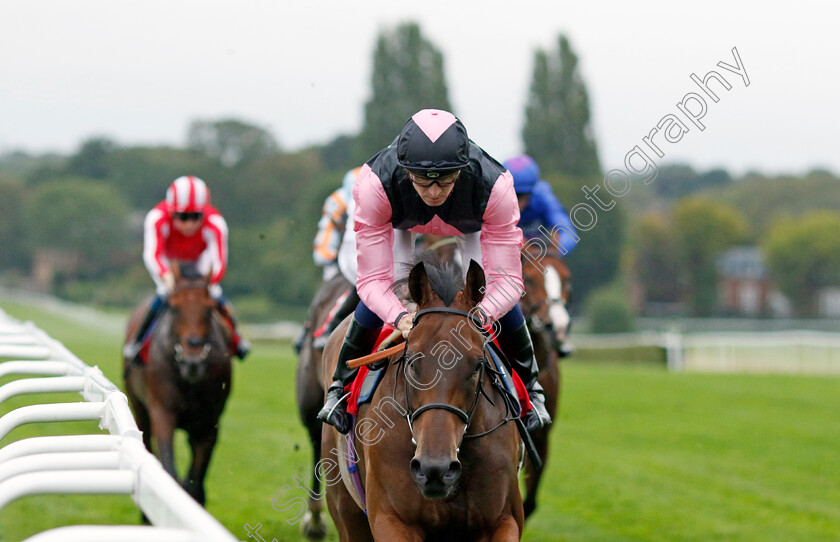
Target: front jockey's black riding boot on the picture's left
(357, 343)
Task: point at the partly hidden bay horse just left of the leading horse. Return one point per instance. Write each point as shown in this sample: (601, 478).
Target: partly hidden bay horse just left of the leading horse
(309, 392)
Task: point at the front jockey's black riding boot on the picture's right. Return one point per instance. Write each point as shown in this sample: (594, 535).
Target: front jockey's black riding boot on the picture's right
(518, 348)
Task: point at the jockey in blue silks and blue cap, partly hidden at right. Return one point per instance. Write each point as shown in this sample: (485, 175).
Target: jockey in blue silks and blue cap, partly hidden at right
(542, 215)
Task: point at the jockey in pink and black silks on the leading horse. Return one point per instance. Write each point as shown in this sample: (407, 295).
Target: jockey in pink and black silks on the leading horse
(433, 179)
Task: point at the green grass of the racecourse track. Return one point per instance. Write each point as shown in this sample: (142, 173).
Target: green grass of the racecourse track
(638, 453)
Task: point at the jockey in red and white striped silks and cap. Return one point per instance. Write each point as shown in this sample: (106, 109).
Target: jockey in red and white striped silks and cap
(184, 227)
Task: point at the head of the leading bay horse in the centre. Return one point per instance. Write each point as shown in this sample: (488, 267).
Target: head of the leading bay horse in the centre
(443, 370)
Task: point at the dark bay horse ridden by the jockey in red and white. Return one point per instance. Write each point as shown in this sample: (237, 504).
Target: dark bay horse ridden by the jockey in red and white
(186, 380)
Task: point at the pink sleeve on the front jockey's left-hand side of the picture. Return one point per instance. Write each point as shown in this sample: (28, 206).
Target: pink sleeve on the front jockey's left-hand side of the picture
(375, 246)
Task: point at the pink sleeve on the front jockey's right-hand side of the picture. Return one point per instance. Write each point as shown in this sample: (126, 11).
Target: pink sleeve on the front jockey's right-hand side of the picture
(501, 241)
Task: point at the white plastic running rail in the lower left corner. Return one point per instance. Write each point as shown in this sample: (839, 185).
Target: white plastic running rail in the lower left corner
(112, 463)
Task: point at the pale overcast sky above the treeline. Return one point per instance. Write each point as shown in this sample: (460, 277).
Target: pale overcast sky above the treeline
(140, 71)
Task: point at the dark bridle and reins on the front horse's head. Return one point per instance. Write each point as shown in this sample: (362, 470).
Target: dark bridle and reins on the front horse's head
(483, 366)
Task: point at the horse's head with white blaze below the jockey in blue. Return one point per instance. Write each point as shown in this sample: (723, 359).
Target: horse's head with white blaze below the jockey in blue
(547, 283)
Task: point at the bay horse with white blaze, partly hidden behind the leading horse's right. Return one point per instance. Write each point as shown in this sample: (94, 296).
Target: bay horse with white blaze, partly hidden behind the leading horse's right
(547, 285)
